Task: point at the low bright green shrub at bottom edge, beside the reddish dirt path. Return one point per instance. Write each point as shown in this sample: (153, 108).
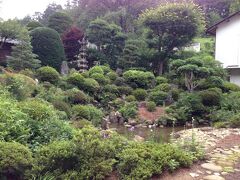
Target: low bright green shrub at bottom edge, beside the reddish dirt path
(142, 161)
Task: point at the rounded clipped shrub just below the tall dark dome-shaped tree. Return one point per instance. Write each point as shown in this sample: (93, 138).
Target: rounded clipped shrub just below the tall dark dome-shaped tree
(48, 74)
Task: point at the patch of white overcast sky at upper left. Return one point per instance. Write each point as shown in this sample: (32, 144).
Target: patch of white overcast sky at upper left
(10, 9)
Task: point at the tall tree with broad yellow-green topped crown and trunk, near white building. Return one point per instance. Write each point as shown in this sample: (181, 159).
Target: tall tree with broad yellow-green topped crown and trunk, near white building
(173, 25)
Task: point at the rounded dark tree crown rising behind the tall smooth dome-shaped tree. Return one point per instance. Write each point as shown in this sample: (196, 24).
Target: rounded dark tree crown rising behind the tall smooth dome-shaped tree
(60, 22)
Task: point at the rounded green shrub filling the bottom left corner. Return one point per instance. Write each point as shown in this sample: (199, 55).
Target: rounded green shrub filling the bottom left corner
(15, 160)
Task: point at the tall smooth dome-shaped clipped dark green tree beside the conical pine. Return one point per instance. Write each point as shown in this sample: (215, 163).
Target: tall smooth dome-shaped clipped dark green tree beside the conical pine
(48, 46)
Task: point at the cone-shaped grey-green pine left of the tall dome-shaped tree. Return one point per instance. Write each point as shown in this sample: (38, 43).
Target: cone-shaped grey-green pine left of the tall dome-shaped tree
(22, 56)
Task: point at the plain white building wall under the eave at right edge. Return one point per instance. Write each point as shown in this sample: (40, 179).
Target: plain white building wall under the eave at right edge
(228, 42)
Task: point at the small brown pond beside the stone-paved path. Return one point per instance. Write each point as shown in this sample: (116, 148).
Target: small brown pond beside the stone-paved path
(159, 135)
